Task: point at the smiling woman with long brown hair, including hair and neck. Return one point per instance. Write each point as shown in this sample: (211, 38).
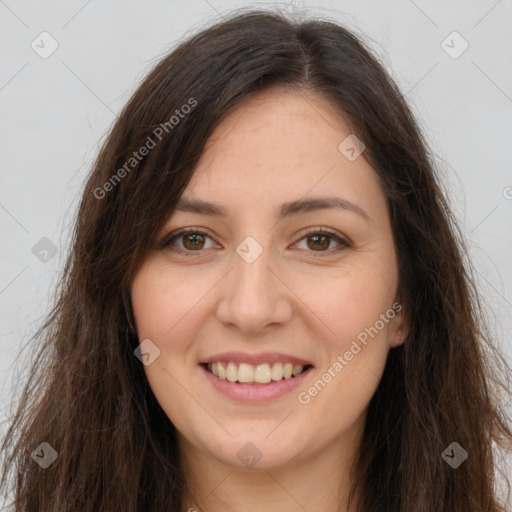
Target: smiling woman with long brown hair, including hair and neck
(266, 305)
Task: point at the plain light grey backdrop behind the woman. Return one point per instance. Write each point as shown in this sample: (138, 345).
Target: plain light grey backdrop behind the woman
(55, 112)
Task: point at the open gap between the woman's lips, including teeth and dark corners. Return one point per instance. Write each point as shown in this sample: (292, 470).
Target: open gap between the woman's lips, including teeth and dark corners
(262, 374)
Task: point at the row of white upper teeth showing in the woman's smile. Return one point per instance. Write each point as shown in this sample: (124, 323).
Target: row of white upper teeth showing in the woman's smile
(250, 374)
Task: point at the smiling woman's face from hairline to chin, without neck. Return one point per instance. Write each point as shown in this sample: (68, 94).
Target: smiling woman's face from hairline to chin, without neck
(267, 285)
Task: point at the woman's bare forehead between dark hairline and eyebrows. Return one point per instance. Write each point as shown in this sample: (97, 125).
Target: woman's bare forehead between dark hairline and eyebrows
(279, 145)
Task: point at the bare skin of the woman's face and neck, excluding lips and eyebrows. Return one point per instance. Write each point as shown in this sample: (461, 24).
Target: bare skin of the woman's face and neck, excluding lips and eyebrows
(278, 146)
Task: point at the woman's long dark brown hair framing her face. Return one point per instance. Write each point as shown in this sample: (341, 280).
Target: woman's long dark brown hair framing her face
(87, 395)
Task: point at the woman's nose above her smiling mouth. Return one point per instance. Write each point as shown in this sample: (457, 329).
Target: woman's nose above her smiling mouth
(253, 296)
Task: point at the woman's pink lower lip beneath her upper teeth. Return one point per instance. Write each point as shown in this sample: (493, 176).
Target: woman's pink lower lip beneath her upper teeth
(255, 393)
